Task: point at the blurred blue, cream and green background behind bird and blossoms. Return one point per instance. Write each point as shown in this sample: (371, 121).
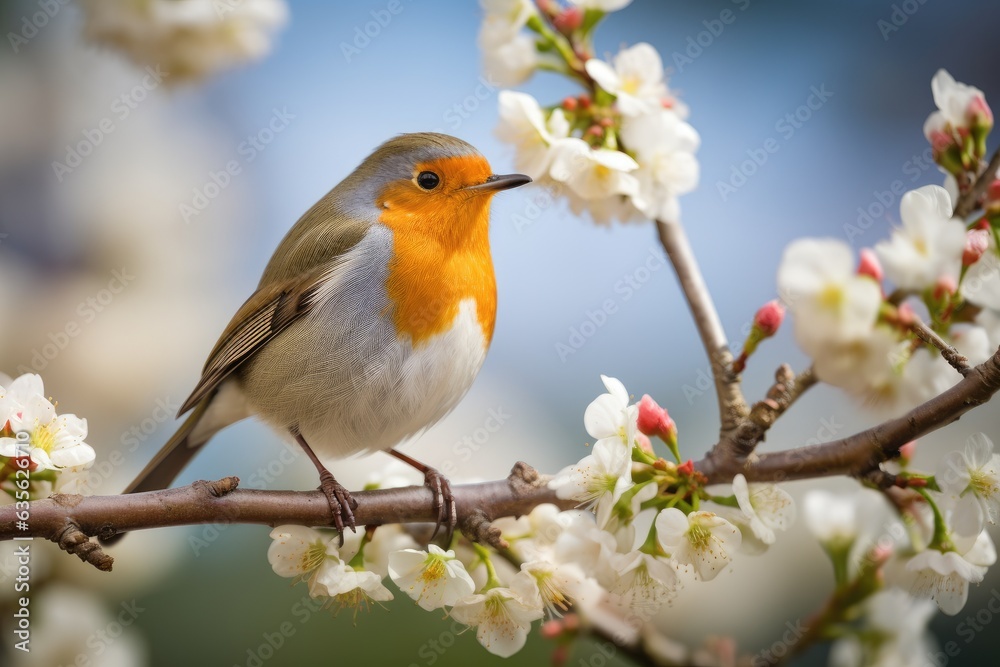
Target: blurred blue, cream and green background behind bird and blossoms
(117, 275)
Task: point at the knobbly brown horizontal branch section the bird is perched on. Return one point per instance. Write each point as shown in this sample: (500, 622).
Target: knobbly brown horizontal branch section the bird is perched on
(78, 517)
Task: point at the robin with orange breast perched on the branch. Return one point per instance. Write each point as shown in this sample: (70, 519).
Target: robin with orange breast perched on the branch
(371, 320)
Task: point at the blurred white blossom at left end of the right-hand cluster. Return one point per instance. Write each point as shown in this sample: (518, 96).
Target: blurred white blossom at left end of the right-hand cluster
(830, 302)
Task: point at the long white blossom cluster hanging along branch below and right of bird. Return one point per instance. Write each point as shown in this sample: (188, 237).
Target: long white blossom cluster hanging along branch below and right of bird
(645, 526)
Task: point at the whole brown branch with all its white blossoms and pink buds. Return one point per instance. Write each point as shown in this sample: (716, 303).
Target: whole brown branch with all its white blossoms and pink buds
(908, 328)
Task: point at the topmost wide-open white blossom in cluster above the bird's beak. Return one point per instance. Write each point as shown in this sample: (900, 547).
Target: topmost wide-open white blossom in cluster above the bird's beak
(636, 79)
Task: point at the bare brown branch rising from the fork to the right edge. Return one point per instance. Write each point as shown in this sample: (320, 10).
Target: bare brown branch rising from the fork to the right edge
(864, 451)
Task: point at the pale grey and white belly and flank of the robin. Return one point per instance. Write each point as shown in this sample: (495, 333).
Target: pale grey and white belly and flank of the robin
(342, 377)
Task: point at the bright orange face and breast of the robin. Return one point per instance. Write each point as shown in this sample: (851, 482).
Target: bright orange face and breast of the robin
(441, 252)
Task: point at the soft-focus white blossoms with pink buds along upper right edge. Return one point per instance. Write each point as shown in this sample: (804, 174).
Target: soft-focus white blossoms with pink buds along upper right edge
(856, 318)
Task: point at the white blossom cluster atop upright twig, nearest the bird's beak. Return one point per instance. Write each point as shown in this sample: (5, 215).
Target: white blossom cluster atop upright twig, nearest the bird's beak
(620, 150)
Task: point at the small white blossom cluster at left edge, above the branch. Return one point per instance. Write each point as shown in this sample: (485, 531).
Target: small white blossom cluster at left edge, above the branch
(39, 442)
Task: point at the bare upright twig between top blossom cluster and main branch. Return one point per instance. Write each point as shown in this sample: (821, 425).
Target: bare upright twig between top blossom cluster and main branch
(732, 405)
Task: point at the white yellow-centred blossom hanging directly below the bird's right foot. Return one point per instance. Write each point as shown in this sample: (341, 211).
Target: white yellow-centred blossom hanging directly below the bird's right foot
(434, 578)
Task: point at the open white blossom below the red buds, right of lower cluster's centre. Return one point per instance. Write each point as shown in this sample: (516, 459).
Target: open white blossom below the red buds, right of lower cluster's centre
(702, 540)
